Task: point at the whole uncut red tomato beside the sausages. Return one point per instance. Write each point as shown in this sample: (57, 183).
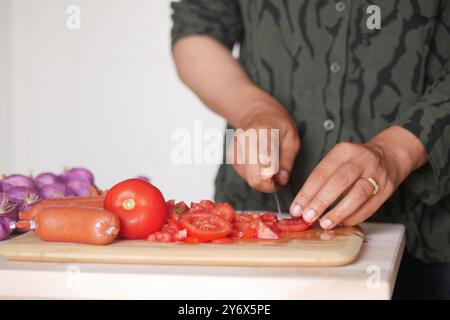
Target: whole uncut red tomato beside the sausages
(141, 208)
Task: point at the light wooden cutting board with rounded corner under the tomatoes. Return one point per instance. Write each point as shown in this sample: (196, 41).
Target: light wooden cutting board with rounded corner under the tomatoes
(313, 248)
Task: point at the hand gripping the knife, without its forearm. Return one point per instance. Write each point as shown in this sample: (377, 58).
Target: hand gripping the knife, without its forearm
(265, 113)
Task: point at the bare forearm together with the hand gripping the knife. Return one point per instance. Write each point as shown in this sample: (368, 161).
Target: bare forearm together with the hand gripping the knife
(210, 70)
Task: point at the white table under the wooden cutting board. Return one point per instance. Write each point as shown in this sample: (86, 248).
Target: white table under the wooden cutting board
(371, 276)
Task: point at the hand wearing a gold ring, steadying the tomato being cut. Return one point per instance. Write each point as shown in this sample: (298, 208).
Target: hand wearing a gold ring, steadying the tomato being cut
(339, 178)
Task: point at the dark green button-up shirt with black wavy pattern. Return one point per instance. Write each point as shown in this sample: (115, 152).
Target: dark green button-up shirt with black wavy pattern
(343, 81)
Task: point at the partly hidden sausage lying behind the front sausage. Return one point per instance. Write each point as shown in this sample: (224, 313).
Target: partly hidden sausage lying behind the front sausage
(94, 202)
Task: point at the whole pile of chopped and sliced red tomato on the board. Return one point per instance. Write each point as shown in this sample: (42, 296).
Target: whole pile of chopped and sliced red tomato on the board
(218, 223)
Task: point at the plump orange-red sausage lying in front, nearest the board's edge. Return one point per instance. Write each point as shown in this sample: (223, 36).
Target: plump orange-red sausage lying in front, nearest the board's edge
(76, 224)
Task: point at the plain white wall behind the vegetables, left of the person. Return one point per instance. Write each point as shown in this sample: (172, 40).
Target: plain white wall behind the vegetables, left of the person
(106, 97)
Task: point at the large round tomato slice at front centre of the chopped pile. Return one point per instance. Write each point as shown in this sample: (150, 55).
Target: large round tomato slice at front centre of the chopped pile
(205, 226)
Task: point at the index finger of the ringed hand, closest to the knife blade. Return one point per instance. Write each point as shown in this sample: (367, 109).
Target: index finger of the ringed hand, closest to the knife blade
(315, 181)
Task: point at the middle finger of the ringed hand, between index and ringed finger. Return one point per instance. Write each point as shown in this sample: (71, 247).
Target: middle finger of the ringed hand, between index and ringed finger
(345, 176)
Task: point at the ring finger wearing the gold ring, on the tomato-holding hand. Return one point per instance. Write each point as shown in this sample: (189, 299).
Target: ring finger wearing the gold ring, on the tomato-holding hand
(360, 193)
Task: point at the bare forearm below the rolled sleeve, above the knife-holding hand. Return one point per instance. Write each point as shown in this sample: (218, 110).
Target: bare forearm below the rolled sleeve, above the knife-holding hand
(208, 69)
